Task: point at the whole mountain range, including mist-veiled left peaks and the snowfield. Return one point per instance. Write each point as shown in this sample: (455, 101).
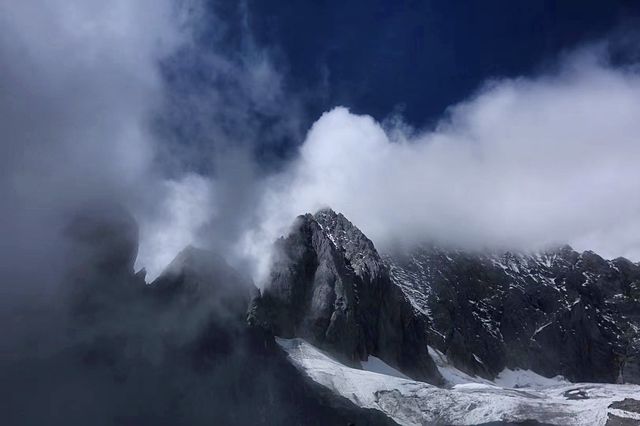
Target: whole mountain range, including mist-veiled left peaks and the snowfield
(426, 336)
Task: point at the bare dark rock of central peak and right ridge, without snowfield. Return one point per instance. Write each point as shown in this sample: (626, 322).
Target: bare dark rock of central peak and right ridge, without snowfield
(557, 313)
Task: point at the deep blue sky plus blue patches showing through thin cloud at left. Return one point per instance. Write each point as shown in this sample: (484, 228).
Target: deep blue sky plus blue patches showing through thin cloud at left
(379, 57)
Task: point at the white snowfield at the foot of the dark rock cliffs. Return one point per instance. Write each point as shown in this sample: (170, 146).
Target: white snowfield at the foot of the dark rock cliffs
(514, 396)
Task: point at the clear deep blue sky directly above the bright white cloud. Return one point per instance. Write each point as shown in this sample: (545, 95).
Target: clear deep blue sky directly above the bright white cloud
(422, 56)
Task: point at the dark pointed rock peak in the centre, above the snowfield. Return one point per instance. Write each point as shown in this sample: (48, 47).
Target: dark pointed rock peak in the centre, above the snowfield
(329, 285)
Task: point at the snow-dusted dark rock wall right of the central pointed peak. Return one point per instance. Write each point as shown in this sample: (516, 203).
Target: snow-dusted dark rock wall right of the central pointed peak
(557, 312)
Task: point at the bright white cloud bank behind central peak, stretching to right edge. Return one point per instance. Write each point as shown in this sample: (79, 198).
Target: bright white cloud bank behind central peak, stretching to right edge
(523, 164)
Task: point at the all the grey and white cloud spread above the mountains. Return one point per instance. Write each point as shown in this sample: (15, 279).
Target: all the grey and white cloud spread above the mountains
(523, 163)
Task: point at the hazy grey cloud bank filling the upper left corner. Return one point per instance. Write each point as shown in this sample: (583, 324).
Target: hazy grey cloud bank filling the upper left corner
(79, 82)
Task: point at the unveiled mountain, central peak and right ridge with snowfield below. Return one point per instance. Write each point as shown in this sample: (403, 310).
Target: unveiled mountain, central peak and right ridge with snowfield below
(457, 334)
